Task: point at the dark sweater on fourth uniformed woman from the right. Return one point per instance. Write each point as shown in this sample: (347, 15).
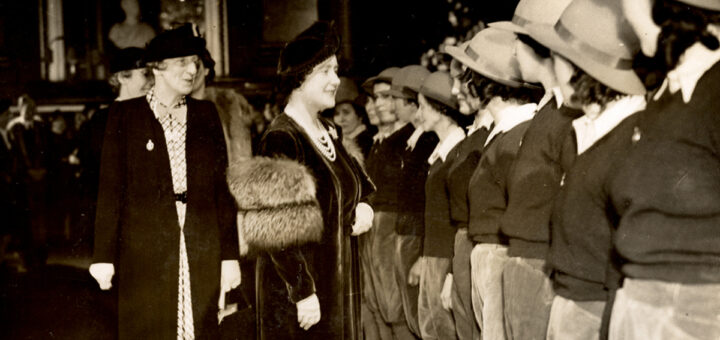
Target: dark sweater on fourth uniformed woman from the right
(487, 191)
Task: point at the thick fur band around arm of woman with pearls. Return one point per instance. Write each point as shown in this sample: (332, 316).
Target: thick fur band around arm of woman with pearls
(276, 203)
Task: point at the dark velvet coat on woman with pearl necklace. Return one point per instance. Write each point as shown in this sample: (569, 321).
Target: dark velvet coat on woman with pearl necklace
(329, 268)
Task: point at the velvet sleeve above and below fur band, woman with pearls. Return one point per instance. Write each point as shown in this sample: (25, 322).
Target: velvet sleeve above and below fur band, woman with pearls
(290, 263)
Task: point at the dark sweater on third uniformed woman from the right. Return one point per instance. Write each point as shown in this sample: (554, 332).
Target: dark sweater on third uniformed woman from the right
(534, 181)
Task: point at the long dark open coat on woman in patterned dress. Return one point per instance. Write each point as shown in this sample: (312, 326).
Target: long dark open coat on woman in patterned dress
(136, 226)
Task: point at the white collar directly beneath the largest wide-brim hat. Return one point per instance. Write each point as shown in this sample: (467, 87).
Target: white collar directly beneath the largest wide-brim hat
(589, 131)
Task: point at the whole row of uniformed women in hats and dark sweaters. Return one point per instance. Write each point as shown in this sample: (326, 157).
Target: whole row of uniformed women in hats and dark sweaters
(582, 202)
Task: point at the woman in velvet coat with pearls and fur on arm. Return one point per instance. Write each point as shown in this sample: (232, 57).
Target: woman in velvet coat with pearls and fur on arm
(308, 279)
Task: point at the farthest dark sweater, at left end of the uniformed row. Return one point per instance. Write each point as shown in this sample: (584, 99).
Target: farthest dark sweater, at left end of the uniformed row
(383, 167)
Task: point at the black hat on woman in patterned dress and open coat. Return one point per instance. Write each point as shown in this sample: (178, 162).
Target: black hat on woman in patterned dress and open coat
(180, 42)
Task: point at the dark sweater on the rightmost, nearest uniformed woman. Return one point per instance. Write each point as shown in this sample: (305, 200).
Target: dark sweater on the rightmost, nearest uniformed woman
(668, 190)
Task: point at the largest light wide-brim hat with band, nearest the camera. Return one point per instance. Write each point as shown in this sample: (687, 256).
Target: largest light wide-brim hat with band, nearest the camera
(596, 37)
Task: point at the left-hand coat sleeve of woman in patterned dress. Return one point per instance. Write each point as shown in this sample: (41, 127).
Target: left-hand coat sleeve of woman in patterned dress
(111, 191)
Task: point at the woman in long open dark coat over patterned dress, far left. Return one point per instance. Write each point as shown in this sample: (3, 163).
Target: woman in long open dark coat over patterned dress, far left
(155, 238)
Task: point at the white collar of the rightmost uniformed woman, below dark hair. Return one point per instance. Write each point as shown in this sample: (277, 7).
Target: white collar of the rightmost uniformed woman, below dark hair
(695, 62)
